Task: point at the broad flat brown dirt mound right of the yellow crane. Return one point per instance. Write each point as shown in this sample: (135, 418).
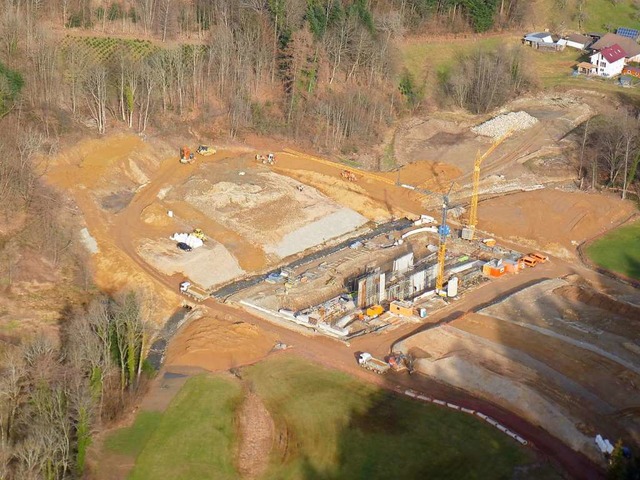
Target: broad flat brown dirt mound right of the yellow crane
(553, 220)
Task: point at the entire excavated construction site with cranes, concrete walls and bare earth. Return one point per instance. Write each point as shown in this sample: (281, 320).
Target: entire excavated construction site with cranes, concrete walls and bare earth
(462, 257)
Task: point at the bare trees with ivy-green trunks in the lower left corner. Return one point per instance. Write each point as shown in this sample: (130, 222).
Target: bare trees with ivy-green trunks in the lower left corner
(53, 396)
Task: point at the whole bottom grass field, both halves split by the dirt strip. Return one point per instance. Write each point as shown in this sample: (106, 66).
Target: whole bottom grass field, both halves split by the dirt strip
(328, 426)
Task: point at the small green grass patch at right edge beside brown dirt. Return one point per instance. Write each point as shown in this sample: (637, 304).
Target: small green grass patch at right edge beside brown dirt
(619, 251)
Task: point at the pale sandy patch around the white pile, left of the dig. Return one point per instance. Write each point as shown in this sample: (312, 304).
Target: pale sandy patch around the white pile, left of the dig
(206, 266)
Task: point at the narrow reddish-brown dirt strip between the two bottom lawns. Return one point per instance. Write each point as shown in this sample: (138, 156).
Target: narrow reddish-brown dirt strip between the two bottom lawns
(256, 433)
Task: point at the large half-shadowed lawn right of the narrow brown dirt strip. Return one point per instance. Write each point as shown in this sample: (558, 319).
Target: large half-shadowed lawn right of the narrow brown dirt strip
(338, 427)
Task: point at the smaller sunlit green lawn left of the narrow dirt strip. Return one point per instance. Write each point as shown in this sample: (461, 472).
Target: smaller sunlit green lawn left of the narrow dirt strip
(193, 439)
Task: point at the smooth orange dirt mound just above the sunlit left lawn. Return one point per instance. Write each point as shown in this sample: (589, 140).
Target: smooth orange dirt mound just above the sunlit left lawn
(215, 344)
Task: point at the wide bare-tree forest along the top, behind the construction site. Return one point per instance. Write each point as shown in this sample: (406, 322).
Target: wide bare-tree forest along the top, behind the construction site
(302, 68)
